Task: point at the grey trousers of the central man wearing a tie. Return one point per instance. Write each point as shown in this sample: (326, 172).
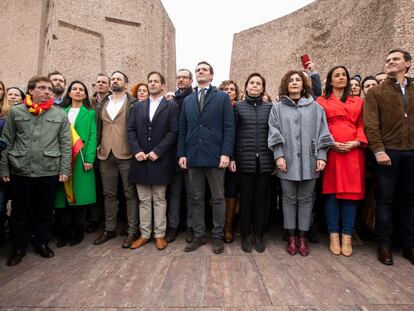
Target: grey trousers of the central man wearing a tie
(197, 178)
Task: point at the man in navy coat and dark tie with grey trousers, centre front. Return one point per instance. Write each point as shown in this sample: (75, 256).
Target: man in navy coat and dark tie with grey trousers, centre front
(205, 145)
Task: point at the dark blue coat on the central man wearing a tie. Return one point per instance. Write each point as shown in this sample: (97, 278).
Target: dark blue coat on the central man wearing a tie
(204, 136)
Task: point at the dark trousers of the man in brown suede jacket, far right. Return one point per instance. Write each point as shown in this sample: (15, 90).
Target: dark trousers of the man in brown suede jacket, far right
(395, 190)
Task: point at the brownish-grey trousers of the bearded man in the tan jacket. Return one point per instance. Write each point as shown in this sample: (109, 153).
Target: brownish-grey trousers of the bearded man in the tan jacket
(109, 169)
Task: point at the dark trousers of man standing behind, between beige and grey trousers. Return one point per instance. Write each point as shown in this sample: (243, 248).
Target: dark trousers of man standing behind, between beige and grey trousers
(174, 200)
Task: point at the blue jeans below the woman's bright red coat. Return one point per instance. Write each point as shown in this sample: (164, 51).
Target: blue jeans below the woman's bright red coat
(333, 207)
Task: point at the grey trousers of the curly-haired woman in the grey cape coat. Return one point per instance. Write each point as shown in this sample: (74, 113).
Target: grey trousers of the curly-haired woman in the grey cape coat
(297, 201)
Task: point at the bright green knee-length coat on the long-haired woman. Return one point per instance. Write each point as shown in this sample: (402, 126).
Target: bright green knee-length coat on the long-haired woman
(83, 182)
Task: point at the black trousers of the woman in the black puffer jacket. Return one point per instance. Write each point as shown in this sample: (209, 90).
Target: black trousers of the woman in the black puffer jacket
(253, 189)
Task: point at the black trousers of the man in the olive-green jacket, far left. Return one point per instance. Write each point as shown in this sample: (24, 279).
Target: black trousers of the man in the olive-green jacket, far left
(33, 196)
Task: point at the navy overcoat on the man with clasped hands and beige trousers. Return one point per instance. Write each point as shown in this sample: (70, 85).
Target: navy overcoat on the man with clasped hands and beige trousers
(159, 136)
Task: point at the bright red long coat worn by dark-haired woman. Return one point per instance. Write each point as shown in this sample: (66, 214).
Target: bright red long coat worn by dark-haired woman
(345, 172)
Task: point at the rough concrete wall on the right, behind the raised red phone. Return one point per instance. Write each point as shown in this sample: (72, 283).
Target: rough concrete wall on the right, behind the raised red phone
(355, 33)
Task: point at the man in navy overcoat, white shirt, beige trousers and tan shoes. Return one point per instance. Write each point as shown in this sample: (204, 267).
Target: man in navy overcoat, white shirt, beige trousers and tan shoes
(152, 135)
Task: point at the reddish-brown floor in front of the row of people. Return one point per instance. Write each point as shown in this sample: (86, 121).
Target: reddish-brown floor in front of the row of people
(107, 277)
